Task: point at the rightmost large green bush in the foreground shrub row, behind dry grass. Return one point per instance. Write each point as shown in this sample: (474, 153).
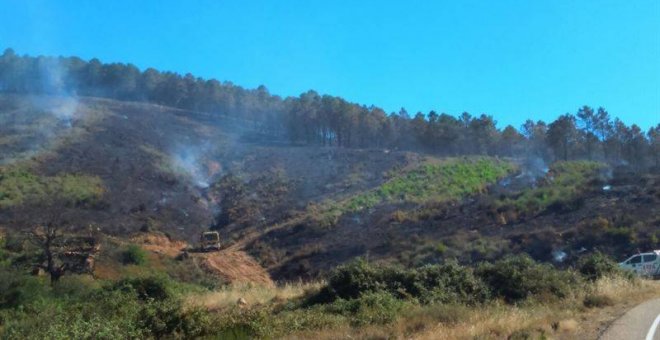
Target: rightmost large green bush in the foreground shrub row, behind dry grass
(516, 278)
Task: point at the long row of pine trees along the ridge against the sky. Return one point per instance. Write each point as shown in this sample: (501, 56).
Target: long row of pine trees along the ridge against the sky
(314, 119)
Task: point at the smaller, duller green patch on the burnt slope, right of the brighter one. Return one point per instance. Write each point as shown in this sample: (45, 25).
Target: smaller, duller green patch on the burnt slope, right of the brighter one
(561, 189)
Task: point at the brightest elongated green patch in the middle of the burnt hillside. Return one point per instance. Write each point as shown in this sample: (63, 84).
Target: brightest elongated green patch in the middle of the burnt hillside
(448, 180)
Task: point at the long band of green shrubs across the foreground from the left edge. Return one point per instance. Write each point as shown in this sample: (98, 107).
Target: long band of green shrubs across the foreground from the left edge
(356, 294)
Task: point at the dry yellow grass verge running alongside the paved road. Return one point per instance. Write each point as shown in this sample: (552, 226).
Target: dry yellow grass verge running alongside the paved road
(567, 319)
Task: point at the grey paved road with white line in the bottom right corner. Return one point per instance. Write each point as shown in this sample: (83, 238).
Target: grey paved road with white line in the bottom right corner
(640, 323)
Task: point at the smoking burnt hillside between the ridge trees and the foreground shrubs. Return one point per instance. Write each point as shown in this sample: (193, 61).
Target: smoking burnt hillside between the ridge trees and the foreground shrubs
(132, 168)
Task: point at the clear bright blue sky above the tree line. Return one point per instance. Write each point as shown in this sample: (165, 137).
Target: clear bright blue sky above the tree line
(512, 59)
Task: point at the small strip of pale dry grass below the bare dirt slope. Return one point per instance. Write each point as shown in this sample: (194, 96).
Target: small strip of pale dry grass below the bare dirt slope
(253, 294)
